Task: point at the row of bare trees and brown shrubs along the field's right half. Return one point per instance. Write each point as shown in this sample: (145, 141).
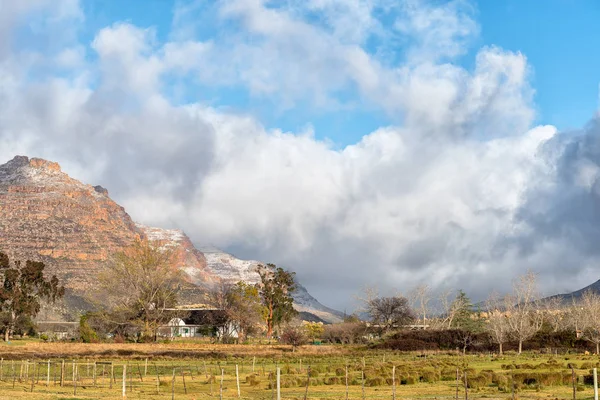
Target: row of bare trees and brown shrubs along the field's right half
(516, 317)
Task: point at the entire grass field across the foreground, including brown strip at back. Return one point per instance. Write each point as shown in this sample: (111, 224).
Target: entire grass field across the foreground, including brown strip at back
(182, 370)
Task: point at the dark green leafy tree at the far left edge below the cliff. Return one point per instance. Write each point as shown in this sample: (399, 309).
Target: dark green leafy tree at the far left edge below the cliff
(23, 287)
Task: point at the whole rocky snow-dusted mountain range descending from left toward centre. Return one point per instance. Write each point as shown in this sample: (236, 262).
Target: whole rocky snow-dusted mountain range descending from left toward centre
(74, 228)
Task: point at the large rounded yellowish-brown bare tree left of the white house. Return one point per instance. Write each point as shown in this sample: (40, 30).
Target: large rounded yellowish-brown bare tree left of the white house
(138, 287)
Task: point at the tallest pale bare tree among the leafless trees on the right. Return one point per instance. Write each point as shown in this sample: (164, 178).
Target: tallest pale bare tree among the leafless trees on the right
(522, 309)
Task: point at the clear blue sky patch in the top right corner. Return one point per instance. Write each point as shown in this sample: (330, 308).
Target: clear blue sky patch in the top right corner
(559, 38)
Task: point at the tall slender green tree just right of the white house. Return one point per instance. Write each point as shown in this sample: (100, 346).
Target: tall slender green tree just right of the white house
(275, 289)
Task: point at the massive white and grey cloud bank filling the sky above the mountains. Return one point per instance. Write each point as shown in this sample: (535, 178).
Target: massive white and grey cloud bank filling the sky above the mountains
(460, 190)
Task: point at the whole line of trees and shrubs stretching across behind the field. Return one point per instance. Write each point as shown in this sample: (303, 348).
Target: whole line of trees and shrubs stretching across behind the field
(139, 292)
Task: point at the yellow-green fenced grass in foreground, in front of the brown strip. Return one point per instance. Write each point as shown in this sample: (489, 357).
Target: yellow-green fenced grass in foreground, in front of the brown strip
(535, 376)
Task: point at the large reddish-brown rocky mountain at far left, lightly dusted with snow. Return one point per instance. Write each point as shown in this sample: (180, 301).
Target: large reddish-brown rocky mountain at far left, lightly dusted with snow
(72, 227)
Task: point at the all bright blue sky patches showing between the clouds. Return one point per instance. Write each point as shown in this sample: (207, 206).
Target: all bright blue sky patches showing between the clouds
(559, 39)
